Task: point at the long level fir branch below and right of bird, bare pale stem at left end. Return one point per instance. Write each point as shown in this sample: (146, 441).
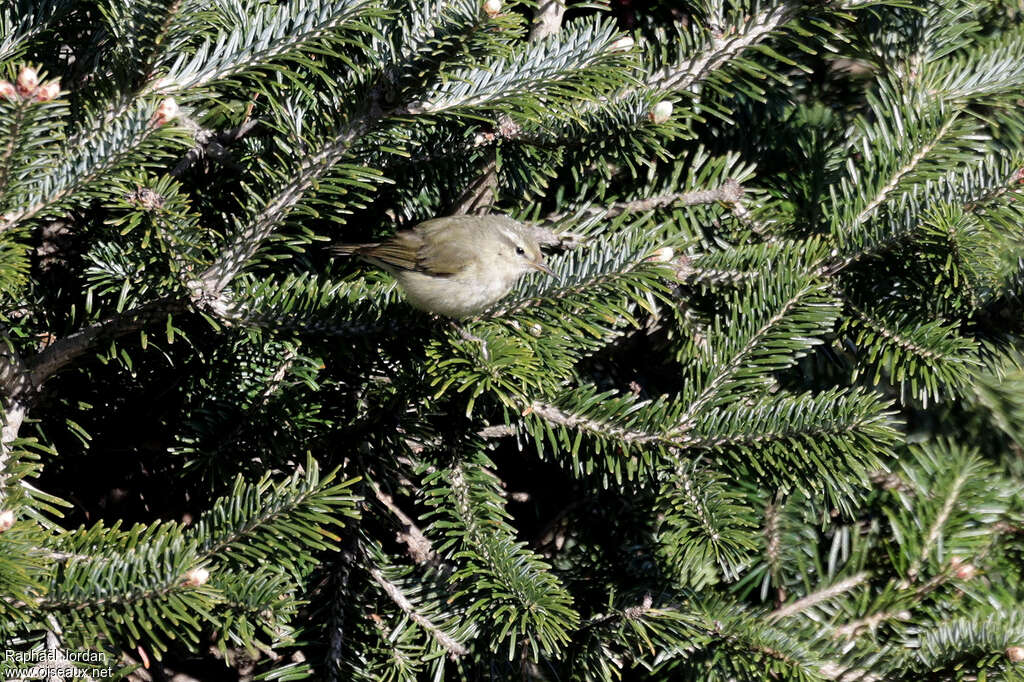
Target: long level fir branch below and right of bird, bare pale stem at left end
(817, 442)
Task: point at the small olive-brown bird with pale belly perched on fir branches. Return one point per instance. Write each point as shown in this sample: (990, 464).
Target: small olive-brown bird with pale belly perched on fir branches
(456, 267)
